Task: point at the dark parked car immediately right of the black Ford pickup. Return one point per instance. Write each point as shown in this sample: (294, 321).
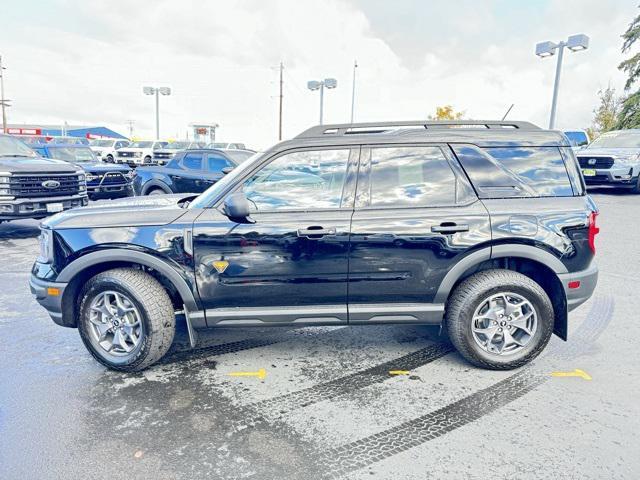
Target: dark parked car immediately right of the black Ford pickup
(103, 180)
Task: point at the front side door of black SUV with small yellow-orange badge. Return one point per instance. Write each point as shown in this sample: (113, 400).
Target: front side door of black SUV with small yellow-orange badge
(291, 265)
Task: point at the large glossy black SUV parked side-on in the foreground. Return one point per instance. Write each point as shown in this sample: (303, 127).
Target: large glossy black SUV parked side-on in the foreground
(482, 227)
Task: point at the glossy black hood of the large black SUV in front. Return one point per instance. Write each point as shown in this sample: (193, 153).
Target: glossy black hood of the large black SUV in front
(126, 212)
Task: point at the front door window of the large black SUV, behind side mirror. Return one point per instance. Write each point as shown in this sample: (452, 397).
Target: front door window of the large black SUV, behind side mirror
(300, 181)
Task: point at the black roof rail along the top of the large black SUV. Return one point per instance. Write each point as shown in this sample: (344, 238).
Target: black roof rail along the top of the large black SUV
(369, 128)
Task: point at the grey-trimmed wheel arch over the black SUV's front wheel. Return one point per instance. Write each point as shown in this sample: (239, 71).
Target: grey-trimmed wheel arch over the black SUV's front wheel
(77, 273)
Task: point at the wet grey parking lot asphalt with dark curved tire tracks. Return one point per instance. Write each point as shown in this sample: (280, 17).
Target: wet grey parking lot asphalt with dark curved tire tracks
(326, 406)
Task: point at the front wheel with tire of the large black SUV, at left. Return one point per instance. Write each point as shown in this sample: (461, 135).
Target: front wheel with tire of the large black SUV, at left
(153, 310)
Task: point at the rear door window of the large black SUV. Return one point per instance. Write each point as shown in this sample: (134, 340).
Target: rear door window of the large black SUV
(411, 176)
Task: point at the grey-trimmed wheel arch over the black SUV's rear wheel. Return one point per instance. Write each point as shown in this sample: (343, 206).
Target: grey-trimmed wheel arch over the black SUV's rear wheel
(535, 263)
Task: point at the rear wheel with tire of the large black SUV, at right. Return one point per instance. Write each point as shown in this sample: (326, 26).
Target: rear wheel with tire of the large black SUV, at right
(471, 296)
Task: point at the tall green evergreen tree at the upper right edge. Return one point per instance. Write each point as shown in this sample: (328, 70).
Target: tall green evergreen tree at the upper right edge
(629, 116)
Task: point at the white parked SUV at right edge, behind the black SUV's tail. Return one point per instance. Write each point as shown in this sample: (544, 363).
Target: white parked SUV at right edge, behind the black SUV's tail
(613, 160)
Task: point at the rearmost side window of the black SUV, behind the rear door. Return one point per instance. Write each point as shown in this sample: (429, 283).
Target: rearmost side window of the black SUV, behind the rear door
(541, 168)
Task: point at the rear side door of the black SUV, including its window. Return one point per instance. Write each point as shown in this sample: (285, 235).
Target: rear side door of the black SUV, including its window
(415, 217)
